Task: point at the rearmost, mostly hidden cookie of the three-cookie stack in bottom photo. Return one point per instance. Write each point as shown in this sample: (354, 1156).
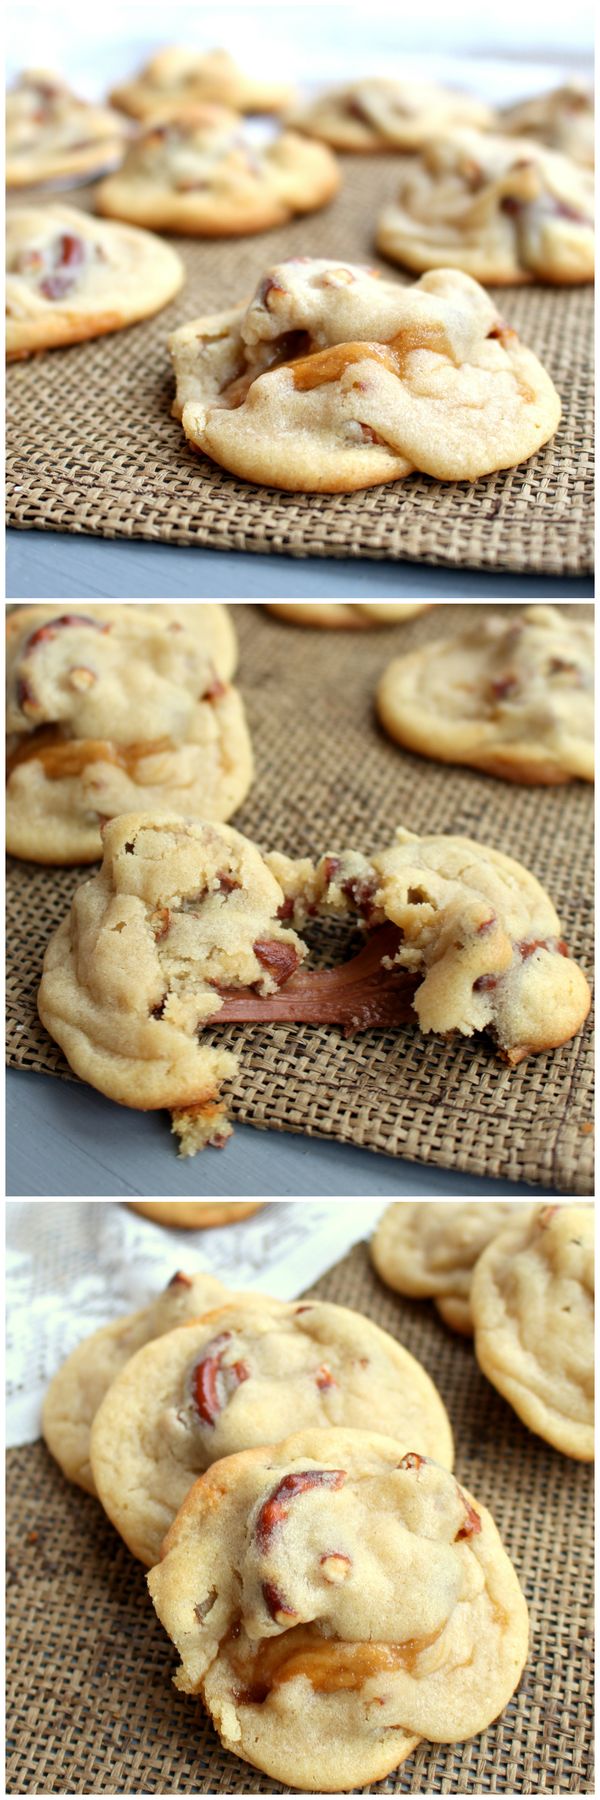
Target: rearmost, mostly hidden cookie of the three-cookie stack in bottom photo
(84, 1381)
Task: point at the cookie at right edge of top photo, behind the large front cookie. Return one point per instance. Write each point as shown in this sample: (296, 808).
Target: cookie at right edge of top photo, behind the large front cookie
(500, 208)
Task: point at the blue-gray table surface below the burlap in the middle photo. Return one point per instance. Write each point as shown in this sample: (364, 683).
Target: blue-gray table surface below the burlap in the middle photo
(68, 1140)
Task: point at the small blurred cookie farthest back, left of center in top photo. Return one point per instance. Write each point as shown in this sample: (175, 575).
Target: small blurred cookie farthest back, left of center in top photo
(176, 80)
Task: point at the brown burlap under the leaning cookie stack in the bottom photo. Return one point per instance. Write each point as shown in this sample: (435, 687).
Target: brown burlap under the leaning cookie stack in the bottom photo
(91, 1707)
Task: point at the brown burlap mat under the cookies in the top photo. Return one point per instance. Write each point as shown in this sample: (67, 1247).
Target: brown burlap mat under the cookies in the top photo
(93, 447)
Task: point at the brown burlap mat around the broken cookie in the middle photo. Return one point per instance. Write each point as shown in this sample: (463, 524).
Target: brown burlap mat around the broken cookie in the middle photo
(325, 778)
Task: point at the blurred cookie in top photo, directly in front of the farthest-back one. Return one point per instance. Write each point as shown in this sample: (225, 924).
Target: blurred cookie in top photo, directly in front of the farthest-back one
(205, 174)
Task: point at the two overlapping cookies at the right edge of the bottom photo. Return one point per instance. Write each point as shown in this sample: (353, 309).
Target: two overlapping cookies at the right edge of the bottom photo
(518, 1279)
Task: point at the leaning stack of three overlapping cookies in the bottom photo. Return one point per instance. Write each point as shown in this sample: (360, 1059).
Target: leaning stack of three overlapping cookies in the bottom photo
(323, 1588)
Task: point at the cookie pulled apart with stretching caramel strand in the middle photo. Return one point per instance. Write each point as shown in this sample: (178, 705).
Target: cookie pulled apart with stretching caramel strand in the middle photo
(188, 924)
